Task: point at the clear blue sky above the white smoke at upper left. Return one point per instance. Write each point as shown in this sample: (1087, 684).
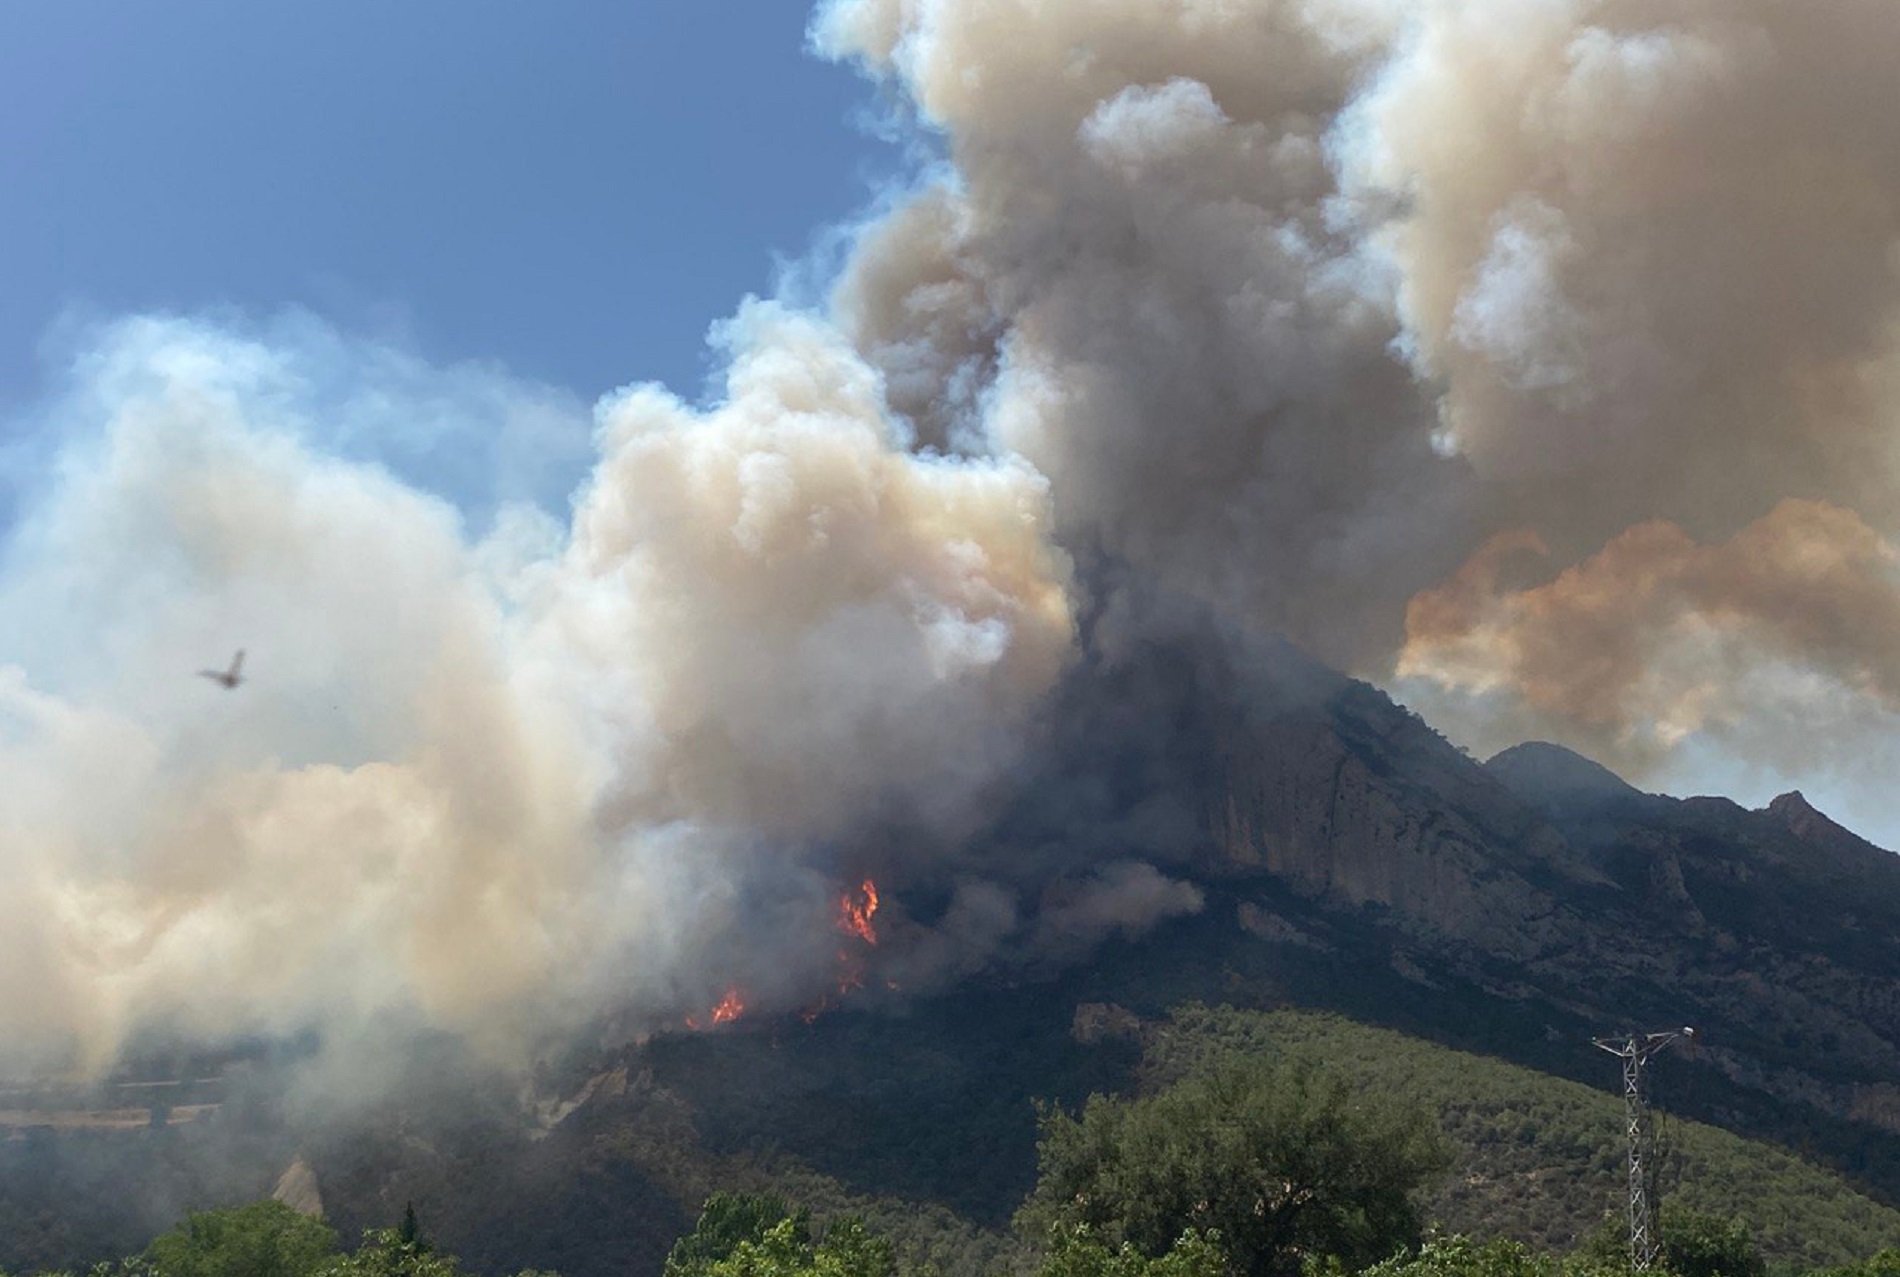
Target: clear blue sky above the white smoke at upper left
(569, 191)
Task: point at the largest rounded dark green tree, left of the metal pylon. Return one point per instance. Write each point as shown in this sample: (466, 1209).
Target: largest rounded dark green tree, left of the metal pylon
(1280, 1160)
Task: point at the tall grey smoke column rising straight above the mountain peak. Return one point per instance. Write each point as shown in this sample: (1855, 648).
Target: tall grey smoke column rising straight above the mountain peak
(1143, 250)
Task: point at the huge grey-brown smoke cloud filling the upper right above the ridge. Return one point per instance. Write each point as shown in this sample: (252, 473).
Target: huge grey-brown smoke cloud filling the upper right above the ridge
(1302, 305)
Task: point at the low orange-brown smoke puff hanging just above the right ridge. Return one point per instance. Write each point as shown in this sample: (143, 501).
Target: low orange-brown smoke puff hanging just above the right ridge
(1658, 639)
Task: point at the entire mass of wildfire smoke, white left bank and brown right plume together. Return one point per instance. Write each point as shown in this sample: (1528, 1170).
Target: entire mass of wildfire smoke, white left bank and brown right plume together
(1217, 322)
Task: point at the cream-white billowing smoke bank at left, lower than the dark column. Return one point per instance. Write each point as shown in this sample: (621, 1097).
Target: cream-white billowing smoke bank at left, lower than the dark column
(493, 784)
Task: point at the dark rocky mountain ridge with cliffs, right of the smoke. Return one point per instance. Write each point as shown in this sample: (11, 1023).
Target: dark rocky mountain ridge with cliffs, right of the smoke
(1546, 881)
